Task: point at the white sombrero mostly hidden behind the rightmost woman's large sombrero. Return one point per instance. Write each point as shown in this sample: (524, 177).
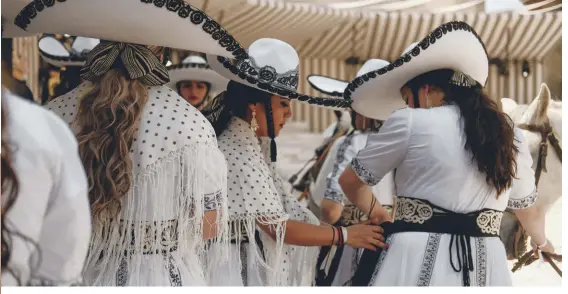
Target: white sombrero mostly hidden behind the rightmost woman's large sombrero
(335, 87)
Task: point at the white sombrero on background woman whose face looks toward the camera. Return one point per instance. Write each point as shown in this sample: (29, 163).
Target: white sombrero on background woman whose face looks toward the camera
(196, 68)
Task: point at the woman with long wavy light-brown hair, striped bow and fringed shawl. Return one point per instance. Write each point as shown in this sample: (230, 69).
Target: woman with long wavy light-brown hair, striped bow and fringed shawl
(157, 179)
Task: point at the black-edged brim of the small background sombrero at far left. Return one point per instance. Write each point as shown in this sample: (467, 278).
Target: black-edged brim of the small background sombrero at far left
(53, 58)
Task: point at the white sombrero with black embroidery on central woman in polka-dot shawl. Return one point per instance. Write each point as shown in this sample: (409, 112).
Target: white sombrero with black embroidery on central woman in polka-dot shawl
(271, 66)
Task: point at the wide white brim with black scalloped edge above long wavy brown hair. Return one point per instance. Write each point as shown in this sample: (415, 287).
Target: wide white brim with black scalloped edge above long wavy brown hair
(169, 23)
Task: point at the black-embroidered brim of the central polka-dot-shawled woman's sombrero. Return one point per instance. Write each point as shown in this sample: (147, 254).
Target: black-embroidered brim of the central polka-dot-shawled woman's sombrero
(252, 78)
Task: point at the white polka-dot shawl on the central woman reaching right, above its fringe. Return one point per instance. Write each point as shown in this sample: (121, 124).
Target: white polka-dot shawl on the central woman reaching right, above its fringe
(250, 186)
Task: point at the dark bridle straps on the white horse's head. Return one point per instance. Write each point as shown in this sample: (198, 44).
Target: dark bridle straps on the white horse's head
(547, 135)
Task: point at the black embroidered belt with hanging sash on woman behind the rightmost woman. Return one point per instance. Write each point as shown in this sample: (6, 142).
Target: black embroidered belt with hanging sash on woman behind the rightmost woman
(351, 215)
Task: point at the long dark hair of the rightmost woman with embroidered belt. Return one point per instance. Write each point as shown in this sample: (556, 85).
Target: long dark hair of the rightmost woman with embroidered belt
(489, 132)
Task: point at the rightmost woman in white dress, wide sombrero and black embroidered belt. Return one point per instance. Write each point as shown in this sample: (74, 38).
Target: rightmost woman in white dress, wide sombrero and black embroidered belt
(459, 164)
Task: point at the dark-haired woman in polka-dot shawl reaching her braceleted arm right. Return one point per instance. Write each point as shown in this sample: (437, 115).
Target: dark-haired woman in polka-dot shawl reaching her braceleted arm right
(274, 236)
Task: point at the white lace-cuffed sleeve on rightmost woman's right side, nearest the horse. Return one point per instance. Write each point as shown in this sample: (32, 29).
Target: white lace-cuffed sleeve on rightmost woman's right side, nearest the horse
(523, 191)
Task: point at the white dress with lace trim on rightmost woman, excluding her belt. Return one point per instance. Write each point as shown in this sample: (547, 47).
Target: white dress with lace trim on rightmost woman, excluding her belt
(426, 146)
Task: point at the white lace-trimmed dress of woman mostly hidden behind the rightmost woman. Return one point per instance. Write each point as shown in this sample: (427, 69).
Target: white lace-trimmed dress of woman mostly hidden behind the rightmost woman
(340, 155)
